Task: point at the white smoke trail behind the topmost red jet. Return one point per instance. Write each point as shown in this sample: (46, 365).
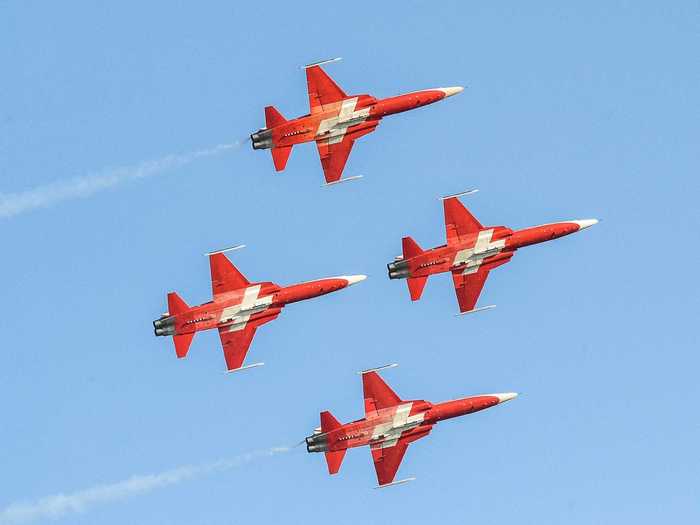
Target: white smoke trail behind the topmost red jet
(12, 204)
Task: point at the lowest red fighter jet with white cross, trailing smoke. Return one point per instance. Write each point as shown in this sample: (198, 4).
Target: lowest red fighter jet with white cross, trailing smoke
(389, 426)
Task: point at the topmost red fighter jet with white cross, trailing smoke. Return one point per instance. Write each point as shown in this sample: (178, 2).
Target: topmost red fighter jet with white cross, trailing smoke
(335, 122)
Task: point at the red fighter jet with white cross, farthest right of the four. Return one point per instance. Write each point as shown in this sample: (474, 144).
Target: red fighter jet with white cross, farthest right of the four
(471, 252)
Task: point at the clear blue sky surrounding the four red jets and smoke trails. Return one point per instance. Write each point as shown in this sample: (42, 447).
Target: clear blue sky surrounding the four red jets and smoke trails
(570, 112)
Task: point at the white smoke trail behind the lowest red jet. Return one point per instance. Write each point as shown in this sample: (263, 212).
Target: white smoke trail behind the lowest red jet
(60, 505)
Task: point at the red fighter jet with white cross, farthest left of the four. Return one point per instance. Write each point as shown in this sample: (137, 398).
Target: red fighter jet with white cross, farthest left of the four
(238, 309)
